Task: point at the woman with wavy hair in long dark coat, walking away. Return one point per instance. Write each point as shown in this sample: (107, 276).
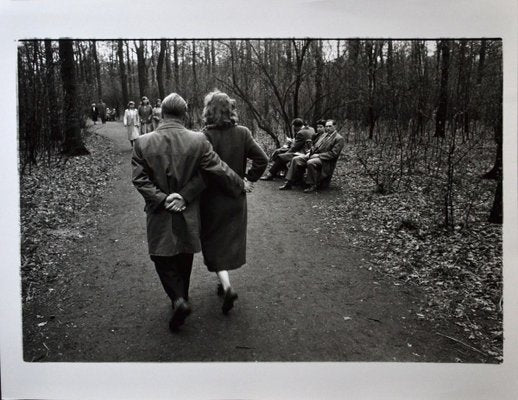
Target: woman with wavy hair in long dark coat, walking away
(224, 219)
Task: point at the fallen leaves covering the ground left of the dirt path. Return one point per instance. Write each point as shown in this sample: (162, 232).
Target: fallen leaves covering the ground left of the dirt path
(52, 197)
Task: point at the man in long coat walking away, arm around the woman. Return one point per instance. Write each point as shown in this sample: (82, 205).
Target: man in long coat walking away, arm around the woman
(166, 169)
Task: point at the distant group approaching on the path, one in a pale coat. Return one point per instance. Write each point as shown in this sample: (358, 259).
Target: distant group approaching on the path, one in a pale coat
(143, 119)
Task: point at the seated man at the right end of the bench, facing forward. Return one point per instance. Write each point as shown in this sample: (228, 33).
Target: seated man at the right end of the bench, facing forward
(320, 160)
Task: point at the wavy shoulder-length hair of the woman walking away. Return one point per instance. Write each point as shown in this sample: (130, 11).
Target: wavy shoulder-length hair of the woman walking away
(219, 109)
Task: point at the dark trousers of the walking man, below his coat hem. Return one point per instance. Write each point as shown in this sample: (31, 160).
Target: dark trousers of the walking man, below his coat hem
(175, 274)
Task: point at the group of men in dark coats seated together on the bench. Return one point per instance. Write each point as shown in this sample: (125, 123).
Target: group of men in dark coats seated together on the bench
(314, 152)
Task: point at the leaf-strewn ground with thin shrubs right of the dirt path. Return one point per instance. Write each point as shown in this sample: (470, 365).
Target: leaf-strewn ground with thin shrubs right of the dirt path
(458, 267)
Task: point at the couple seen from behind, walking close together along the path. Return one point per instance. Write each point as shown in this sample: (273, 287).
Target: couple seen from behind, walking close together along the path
(194, 186)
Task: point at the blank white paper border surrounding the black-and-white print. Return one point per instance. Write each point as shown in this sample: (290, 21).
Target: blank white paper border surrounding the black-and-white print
(264, 19)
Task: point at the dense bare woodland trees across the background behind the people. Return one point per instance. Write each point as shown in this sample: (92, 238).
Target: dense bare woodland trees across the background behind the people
(432, 101)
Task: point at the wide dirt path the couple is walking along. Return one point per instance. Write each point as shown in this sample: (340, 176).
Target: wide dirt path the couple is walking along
(303, 297)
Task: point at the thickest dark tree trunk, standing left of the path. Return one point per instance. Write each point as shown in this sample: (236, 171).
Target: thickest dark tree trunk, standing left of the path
(73, 143)
